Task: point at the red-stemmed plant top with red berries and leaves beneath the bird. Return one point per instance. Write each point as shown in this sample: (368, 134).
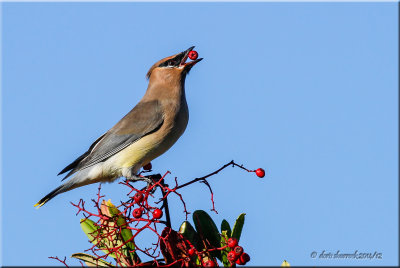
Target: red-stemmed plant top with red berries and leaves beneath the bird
(115, 229)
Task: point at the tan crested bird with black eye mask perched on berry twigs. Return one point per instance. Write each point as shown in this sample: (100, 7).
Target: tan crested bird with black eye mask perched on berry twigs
(146, 132)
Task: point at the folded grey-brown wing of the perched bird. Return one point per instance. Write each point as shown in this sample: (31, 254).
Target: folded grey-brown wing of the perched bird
(143, 119)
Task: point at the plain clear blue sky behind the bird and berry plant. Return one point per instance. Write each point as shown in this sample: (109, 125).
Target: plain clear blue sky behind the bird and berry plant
(308, 91)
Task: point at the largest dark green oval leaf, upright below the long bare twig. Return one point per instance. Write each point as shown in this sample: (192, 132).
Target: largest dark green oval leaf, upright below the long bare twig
(207, 230)
